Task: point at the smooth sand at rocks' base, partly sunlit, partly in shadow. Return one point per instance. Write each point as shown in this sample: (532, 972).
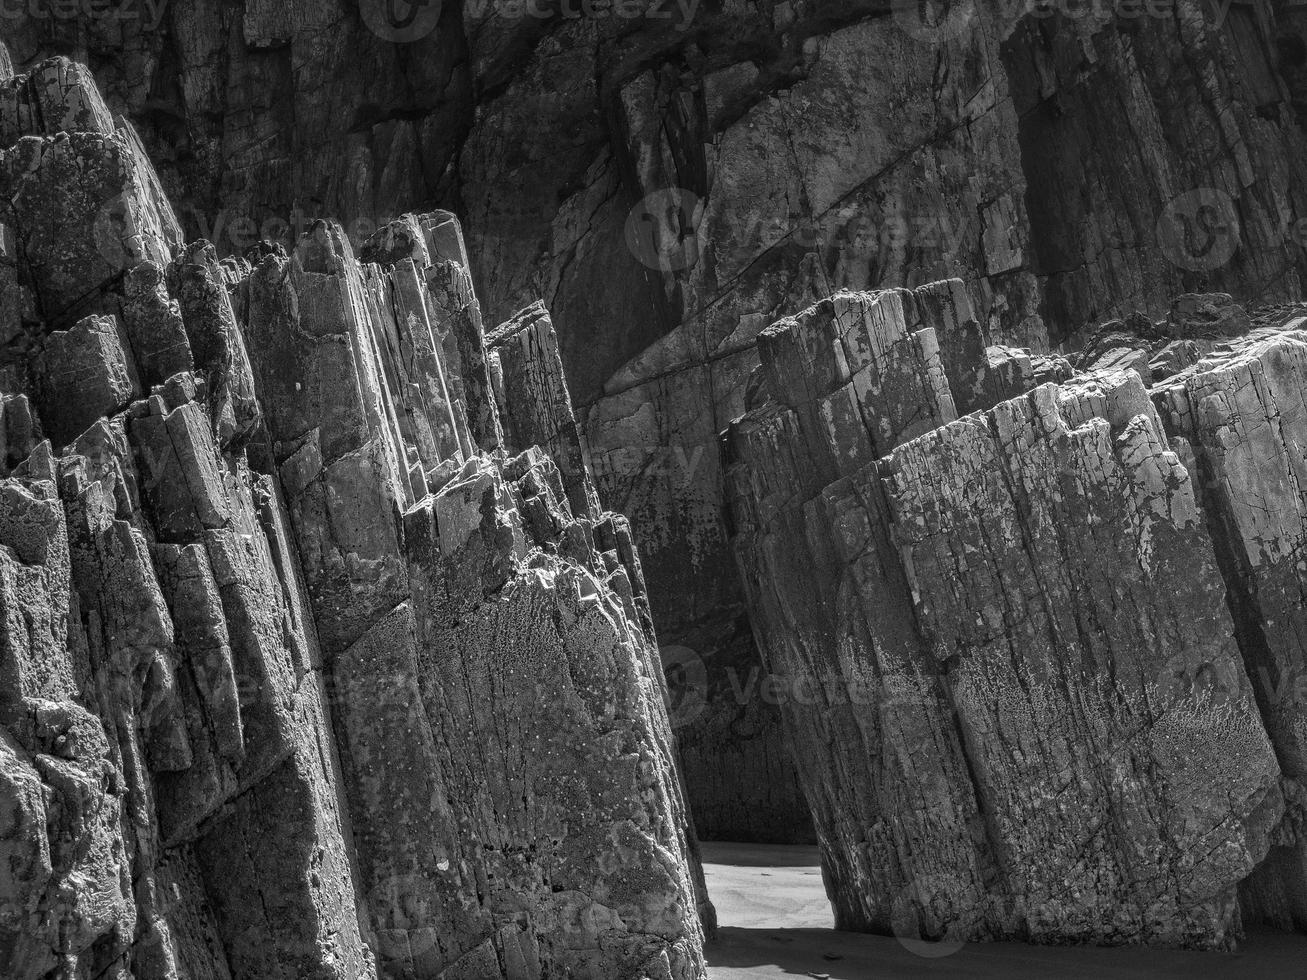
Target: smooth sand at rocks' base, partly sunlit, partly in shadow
(776, 922)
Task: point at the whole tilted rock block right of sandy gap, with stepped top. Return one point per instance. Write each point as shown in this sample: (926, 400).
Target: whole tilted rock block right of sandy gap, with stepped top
(1027, 713)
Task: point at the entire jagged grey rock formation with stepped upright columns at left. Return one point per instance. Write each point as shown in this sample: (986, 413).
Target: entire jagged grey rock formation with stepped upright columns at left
(305, 672)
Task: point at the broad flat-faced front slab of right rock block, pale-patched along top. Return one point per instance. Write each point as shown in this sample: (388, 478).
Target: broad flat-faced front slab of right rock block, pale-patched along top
(1065, 585)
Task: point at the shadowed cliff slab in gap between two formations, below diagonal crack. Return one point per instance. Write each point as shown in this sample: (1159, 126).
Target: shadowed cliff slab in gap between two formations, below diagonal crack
(653, 450)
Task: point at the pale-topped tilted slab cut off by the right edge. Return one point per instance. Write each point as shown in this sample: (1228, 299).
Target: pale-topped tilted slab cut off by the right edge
(1242, 415)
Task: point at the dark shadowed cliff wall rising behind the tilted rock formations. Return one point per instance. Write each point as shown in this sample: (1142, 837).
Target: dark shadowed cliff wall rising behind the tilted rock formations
(672, 184)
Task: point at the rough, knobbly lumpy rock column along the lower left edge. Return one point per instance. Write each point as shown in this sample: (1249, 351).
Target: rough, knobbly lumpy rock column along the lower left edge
(67, 900)
